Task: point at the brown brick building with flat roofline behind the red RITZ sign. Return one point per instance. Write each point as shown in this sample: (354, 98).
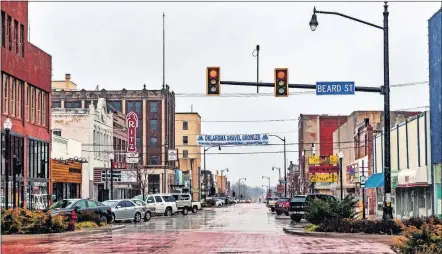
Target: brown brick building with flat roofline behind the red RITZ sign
(156, 121)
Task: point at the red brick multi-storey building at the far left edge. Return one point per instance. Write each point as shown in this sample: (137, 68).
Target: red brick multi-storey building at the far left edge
(25, 96)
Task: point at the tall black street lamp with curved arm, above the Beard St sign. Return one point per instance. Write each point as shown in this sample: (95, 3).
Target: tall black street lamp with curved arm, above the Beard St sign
(388, 211)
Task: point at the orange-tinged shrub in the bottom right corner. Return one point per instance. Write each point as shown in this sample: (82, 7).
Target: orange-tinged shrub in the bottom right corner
(426, 239)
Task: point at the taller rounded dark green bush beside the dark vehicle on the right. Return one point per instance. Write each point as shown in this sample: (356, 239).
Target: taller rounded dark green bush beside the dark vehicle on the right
(318, 210)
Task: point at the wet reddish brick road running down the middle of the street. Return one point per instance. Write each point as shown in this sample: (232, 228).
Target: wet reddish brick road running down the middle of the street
(242, 228)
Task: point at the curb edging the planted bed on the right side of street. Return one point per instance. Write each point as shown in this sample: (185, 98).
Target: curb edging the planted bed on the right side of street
(373, 237)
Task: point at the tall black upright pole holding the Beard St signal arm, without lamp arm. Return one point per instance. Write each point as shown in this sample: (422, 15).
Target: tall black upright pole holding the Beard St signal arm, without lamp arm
(388, 213)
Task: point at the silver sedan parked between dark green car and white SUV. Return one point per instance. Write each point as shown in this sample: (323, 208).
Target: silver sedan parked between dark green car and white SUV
(125, 209)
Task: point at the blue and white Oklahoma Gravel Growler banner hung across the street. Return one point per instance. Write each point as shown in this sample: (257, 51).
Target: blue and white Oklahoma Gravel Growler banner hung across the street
(233, 139)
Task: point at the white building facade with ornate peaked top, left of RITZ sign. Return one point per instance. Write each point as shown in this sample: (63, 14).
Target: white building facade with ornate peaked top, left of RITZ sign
(93, 127)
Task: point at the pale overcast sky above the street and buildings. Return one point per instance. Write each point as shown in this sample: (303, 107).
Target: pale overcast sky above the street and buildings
(116, 45)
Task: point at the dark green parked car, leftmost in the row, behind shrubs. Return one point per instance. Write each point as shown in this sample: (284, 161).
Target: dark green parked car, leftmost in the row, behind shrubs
(67, 206)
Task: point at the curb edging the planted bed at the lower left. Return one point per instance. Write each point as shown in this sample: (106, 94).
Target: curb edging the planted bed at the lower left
(11, 238)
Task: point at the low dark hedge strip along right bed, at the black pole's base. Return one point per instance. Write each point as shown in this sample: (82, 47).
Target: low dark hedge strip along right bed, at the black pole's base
(359, 226)
